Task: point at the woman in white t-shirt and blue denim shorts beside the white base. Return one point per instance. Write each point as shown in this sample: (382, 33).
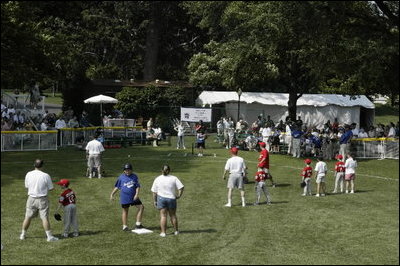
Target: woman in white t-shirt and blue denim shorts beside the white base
(166, 190)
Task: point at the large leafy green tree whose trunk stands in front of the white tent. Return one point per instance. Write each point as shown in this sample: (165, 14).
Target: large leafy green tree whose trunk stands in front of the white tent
(294, 47)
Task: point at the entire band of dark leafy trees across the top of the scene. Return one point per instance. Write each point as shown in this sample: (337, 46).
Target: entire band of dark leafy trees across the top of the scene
(298, 47)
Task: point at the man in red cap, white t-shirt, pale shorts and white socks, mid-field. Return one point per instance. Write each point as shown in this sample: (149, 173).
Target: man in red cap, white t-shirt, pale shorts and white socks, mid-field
(236, 168)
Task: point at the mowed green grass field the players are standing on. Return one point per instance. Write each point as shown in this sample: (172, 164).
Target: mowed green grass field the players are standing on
(360, 228)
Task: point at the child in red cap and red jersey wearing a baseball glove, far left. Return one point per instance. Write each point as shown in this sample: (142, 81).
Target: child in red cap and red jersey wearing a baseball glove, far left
(67, 200)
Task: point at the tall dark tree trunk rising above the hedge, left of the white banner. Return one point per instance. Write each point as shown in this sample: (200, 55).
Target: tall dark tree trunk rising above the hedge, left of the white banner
(152, 42)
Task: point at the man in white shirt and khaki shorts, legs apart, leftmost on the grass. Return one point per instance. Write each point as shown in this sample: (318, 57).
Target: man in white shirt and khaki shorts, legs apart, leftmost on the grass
(38, 184)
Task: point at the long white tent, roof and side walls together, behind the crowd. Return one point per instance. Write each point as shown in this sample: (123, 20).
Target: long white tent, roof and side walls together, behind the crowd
(314, 109)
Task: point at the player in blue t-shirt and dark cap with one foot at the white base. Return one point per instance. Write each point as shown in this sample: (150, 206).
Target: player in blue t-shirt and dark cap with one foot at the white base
(128, 184)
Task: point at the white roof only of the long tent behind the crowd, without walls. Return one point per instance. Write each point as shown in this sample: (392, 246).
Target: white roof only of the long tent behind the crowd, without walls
(269, 98)
